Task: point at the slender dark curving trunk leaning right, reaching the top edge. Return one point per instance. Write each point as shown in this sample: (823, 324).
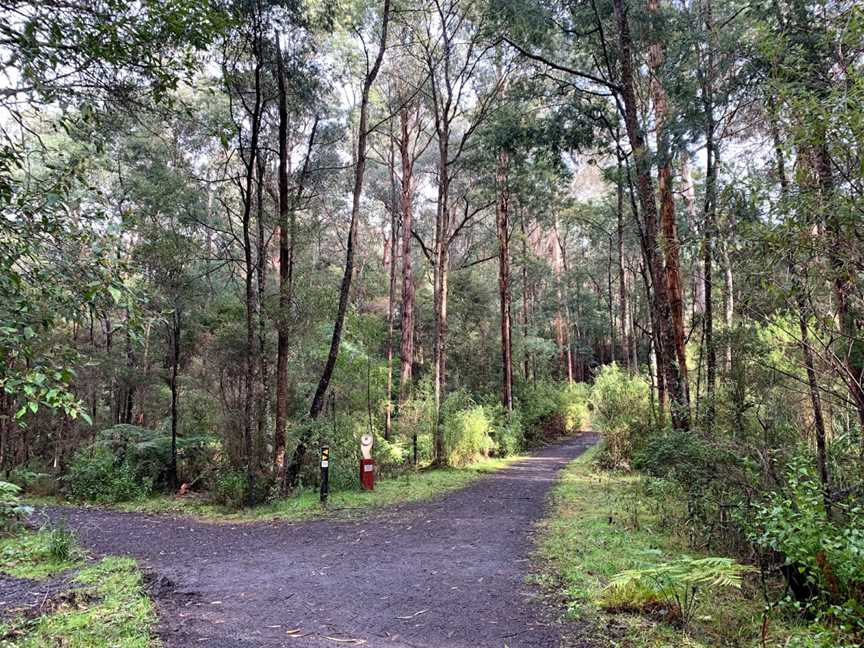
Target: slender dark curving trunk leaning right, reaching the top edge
(345, 287)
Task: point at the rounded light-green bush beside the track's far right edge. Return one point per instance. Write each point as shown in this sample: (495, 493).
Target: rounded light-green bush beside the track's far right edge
(622, 412)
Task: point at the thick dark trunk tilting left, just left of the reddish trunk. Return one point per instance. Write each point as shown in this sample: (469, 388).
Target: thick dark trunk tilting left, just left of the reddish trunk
(675, 382)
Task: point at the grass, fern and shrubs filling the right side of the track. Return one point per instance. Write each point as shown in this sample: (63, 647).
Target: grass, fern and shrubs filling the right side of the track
(656, 538)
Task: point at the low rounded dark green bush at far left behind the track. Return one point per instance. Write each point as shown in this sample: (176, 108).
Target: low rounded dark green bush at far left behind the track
(96, 475)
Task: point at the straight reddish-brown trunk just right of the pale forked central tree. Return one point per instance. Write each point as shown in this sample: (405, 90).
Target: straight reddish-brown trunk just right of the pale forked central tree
(503, 227)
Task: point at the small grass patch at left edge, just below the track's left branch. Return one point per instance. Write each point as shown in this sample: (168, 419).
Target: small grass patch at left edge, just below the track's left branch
(32, 554)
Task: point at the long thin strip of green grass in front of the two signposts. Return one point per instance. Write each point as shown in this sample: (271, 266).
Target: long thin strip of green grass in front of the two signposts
(412, 486)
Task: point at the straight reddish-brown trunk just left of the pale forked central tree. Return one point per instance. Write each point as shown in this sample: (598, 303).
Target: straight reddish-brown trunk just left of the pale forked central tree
(406, 348)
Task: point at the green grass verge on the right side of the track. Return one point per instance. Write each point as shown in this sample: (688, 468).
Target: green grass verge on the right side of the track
(602, 523)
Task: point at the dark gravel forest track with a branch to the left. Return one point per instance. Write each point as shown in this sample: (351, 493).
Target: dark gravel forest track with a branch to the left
(445, 573)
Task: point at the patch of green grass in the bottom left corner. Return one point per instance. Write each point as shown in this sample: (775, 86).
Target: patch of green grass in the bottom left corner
(110, 609)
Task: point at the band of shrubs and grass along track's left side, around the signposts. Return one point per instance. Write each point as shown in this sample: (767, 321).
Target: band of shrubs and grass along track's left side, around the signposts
(129, 465)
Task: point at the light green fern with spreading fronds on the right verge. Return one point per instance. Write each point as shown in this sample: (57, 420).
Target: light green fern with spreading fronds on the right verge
(678, 584)
